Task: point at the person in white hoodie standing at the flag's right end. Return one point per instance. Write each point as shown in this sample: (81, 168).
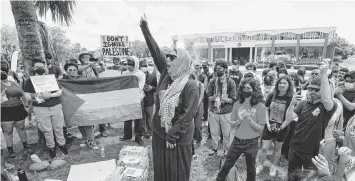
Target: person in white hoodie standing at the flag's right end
(133, 69)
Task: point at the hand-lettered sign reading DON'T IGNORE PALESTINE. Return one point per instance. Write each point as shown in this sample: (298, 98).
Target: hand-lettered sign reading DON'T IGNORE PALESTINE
(114, 45)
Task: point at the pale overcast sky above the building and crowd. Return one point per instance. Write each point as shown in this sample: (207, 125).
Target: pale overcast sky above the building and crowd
(95, 18)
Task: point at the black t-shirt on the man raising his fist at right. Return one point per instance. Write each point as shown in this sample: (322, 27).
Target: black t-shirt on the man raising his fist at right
(310, 127)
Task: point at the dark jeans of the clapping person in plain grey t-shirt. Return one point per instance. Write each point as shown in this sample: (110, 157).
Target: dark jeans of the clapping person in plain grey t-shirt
(250, 149)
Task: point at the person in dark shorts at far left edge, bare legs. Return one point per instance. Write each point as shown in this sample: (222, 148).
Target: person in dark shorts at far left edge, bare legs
(13, 112)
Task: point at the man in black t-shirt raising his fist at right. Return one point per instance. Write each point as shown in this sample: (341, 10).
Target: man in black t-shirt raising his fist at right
(313, 116)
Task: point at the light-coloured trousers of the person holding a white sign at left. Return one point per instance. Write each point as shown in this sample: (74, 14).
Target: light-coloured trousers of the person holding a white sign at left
(49, 120)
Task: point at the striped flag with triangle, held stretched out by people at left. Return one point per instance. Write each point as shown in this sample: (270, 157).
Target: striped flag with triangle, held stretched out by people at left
(100, 100)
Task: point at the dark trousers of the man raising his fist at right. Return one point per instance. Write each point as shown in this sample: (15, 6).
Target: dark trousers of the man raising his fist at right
(298, 159)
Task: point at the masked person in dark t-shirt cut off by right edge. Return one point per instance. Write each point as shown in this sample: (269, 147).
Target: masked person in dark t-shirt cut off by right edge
(346, 94)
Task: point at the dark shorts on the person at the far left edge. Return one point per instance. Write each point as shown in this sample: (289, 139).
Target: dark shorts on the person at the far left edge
(16, 113)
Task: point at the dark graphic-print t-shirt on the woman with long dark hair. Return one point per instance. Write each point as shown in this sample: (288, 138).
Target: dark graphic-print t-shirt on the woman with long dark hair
(278, 106)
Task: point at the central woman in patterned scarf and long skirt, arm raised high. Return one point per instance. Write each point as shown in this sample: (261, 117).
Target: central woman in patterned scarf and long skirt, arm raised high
(176, 104)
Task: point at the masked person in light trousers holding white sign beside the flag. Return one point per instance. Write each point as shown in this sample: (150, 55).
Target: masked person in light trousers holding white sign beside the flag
(47, 107)
